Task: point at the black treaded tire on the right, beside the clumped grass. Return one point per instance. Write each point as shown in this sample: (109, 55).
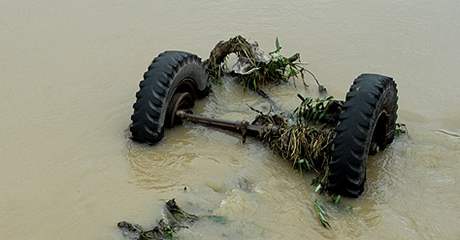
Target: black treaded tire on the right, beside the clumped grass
(367, 121)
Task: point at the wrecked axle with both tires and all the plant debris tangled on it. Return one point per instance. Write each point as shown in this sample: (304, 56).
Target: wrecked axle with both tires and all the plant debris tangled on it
(331, 137)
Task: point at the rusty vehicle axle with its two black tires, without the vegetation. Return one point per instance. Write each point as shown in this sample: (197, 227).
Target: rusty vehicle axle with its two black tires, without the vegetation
(364, 125)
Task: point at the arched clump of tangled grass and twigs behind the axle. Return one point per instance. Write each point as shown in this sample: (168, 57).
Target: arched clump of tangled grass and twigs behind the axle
(255, 69)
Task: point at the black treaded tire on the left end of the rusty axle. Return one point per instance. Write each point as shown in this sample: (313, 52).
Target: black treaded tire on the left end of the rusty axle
(170, 73)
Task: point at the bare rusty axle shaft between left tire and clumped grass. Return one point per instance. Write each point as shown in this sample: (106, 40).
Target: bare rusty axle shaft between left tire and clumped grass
(242, 127)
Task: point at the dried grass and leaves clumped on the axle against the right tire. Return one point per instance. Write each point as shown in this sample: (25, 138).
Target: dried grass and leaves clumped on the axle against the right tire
(306, 137)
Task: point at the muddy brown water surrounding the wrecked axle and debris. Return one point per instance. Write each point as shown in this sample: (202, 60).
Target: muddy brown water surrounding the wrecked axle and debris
(69, 71)
